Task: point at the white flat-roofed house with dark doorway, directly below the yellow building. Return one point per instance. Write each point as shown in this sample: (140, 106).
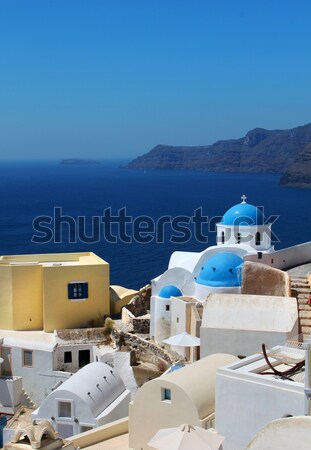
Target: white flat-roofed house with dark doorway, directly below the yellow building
(45, 360)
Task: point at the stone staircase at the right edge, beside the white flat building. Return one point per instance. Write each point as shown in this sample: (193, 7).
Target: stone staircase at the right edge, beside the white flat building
(302, 291)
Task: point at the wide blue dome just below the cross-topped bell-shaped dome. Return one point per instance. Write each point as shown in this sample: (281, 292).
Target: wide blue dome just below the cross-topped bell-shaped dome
(221, 270)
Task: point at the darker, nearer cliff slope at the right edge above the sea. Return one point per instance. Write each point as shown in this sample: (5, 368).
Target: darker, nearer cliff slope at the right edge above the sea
(298, 174)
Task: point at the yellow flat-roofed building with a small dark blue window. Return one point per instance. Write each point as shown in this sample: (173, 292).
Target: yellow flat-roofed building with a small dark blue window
(52, 291)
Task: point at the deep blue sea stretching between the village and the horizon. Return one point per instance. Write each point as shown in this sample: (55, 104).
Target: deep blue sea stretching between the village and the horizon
(134, 219)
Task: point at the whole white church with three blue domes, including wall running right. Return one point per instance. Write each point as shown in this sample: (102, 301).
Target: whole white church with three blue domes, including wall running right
(242, 235)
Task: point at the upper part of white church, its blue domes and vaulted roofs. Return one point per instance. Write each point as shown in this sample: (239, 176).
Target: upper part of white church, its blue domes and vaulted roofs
(241, 232)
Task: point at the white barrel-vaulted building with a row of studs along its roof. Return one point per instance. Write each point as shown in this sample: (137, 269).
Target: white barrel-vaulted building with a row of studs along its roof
(92, 397)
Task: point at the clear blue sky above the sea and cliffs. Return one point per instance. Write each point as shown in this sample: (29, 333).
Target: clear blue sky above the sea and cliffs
(114, 78)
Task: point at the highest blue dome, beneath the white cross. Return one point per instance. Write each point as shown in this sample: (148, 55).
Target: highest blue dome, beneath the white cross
(243, 214)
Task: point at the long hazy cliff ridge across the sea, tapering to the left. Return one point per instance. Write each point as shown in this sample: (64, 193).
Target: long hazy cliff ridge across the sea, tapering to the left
(259, 151)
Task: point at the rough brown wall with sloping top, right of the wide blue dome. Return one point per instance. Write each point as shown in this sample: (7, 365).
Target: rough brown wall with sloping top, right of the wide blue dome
(259, 279)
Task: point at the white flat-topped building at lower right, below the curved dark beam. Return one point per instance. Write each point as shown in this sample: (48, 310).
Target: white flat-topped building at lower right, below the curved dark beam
(249, 395)
